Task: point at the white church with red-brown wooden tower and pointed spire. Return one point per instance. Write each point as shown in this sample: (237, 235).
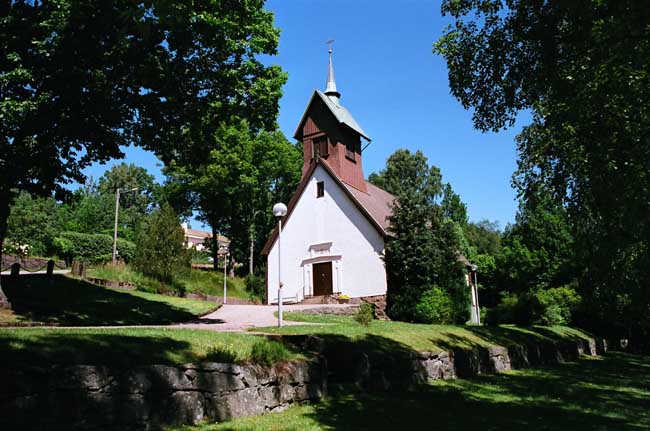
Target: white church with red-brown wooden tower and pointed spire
(333, 232)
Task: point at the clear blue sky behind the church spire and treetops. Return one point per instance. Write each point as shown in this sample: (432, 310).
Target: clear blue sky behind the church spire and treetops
(395, 87)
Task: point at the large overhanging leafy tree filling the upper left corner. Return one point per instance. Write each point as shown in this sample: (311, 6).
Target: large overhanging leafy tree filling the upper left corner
(80, 79)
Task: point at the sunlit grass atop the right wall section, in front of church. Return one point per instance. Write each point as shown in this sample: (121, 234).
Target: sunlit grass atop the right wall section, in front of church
(399, 336)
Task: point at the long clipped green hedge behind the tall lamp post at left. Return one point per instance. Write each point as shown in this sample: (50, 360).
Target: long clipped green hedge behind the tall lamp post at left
(91, 247)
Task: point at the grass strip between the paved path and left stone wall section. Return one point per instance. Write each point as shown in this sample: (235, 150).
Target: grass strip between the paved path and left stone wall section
(135, 346)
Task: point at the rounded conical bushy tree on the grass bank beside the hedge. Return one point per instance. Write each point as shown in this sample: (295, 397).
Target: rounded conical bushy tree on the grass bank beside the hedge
(160, 246)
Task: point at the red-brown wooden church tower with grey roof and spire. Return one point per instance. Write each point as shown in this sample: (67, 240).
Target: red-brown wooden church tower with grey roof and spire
(330, 134)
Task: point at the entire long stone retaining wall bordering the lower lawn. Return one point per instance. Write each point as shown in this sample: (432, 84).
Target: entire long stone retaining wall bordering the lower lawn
(83, 397)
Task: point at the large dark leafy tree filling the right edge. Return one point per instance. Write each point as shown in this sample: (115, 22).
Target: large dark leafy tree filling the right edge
(582, 68)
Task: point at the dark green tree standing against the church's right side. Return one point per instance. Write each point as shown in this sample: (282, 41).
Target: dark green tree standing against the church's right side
(421, 249)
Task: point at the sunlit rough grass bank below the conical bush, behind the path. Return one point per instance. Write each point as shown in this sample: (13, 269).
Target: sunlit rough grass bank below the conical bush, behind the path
(194, 281)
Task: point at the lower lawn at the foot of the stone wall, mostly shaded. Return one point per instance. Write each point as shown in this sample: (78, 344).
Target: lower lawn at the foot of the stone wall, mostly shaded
(608, 393)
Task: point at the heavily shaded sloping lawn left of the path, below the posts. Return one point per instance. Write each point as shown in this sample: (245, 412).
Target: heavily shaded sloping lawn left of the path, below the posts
(72, 302)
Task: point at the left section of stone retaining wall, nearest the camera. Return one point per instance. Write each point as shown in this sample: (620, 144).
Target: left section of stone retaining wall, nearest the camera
(85, 397)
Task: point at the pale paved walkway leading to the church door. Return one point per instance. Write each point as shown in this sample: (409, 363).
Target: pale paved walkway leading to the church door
(241, 317)
